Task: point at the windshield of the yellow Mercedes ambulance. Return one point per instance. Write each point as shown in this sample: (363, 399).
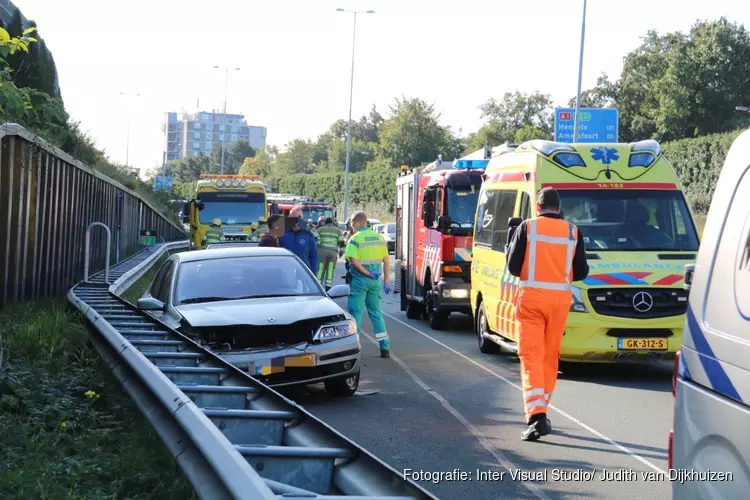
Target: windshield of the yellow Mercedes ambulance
(630, 219)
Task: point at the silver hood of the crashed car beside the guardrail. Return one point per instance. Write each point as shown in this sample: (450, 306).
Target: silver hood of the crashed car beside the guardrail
(284, 310)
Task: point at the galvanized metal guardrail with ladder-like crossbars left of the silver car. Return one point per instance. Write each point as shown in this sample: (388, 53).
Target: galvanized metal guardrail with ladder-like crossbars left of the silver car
(233, 436)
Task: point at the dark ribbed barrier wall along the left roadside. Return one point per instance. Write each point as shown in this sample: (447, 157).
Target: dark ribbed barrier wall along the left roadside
(47, 200)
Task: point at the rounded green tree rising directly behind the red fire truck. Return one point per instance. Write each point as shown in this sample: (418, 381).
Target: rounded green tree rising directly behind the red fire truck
(413, 134)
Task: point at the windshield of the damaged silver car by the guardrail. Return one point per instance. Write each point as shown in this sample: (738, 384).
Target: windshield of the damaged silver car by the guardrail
(249, 277)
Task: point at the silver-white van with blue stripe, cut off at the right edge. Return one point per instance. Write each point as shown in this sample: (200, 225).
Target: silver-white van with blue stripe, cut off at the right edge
(709, 447)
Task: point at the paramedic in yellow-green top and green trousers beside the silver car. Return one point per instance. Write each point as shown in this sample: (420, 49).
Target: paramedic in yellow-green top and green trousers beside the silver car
(368, 254)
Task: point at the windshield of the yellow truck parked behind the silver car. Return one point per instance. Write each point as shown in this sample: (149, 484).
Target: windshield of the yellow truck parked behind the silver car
(232, 208)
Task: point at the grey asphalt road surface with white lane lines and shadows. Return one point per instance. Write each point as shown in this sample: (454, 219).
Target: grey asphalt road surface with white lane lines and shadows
(439, 404)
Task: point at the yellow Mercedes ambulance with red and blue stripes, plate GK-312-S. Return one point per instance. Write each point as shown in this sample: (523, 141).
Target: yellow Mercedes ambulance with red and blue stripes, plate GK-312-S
(639, 235)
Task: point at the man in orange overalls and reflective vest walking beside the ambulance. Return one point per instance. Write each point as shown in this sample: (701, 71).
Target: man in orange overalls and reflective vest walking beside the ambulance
(547, 254)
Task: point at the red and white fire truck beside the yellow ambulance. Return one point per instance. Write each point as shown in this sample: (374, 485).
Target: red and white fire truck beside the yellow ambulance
(435, 208)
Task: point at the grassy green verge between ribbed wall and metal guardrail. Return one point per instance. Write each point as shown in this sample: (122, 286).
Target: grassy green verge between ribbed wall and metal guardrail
(67, 429)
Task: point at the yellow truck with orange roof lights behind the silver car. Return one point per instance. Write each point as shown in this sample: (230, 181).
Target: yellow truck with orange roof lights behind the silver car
(237, 200)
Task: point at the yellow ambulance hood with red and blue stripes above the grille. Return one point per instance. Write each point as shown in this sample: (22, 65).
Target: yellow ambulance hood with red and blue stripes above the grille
(662, 269)
